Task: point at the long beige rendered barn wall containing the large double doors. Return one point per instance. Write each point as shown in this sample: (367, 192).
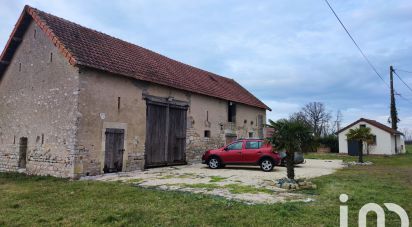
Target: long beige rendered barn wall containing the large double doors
(100, 93)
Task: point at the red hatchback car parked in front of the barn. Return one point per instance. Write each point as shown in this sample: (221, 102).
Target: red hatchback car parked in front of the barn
(244, 152)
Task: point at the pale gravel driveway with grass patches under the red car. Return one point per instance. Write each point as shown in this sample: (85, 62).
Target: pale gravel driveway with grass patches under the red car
(243, 183)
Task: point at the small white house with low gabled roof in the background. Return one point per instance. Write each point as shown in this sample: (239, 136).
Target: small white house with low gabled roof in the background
(385, 139)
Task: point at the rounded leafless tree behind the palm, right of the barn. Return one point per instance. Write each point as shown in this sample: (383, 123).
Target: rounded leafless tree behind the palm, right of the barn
(316, 115)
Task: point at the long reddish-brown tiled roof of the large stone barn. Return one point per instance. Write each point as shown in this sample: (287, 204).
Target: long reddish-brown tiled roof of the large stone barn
(85, 47)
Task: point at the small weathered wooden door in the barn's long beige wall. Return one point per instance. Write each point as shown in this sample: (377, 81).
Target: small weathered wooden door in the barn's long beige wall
(114, 149)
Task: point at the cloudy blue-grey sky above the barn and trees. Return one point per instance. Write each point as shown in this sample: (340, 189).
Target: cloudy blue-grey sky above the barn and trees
(287, 53)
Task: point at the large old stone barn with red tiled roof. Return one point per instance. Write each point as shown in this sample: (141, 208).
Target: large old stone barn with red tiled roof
(77, 102)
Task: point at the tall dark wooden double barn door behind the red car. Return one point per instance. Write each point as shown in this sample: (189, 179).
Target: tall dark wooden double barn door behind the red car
(165, 134)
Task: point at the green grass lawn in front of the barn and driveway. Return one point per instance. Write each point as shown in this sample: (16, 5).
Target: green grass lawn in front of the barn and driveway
(28, 201)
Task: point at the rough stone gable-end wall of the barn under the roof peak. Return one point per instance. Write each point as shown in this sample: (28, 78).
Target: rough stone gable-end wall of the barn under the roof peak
(38, 101)
